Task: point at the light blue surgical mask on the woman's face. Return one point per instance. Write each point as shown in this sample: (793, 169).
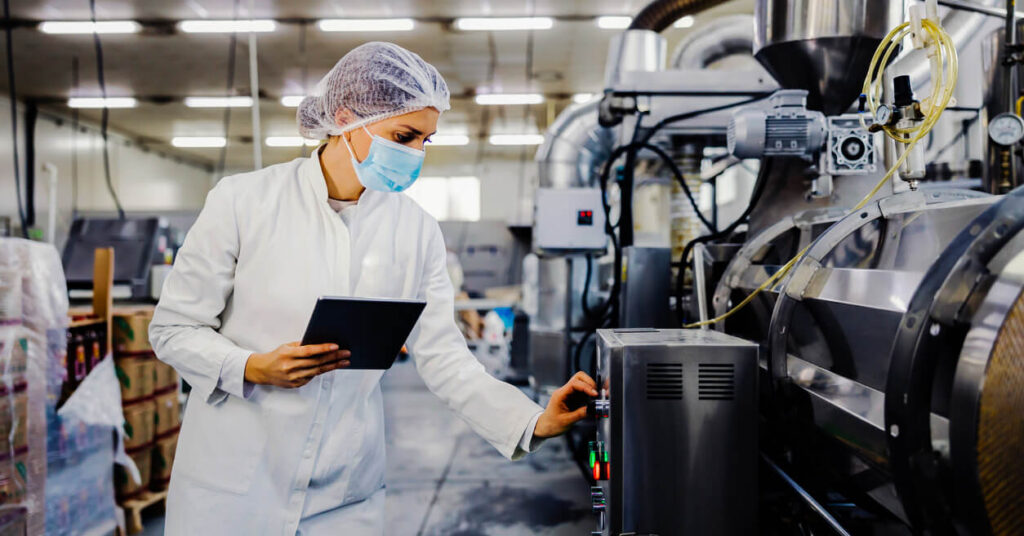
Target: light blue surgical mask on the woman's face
(389, 167)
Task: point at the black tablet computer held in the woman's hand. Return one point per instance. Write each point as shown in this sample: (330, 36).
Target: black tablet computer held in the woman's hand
(374, 331)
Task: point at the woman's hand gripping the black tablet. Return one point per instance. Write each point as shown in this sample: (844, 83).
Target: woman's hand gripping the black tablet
(293, 365)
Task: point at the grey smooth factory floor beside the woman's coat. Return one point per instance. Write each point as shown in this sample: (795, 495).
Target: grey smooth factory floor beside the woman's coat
(445, 480)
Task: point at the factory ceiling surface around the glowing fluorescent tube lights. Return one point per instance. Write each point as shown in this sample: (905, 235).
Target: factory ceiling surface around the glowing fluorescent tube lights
(161, 66)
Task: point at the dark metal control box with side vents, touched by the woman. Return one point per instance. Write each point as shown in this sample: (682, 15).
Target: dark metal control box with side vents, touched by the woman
(677, 433)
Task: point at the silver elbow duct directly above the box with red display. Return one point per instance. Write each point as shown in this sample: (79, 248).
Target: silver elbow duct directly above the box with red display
(575, 149)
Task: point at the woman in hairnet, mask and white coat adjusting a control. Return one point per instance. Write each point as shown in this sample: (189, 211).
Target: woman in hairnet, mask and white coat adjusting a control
(276, 439)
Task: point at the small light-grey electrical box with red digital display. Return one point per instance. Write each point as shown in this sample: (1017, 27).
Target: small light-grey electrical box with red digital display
(569, 221)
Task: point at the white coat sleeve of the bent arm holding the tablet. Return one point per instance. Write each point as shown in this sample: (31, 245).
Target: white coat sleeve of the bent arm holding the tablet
(184, 332)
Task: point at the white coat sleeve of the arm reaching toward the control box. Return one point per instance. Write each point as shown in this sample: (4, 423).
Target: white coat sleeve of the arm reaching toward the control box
(497, 411)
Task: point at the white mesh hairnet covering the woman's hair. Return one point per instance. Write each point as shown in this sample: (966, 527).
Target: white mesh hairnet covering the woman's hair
(374, 81)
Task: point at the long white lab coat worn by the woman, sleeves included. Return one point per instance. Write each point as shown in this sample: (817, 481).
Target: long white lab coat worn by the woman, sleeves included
(258, 460)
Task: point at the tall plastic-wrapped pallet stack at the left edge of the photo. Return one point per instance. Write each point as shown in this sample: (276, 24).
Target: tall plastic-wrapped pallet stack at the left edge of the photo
(51, 468)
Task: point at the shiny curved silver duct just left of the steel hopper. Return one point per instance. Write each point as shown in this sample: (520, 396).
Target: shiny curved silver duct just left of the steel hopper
(720, 38)
